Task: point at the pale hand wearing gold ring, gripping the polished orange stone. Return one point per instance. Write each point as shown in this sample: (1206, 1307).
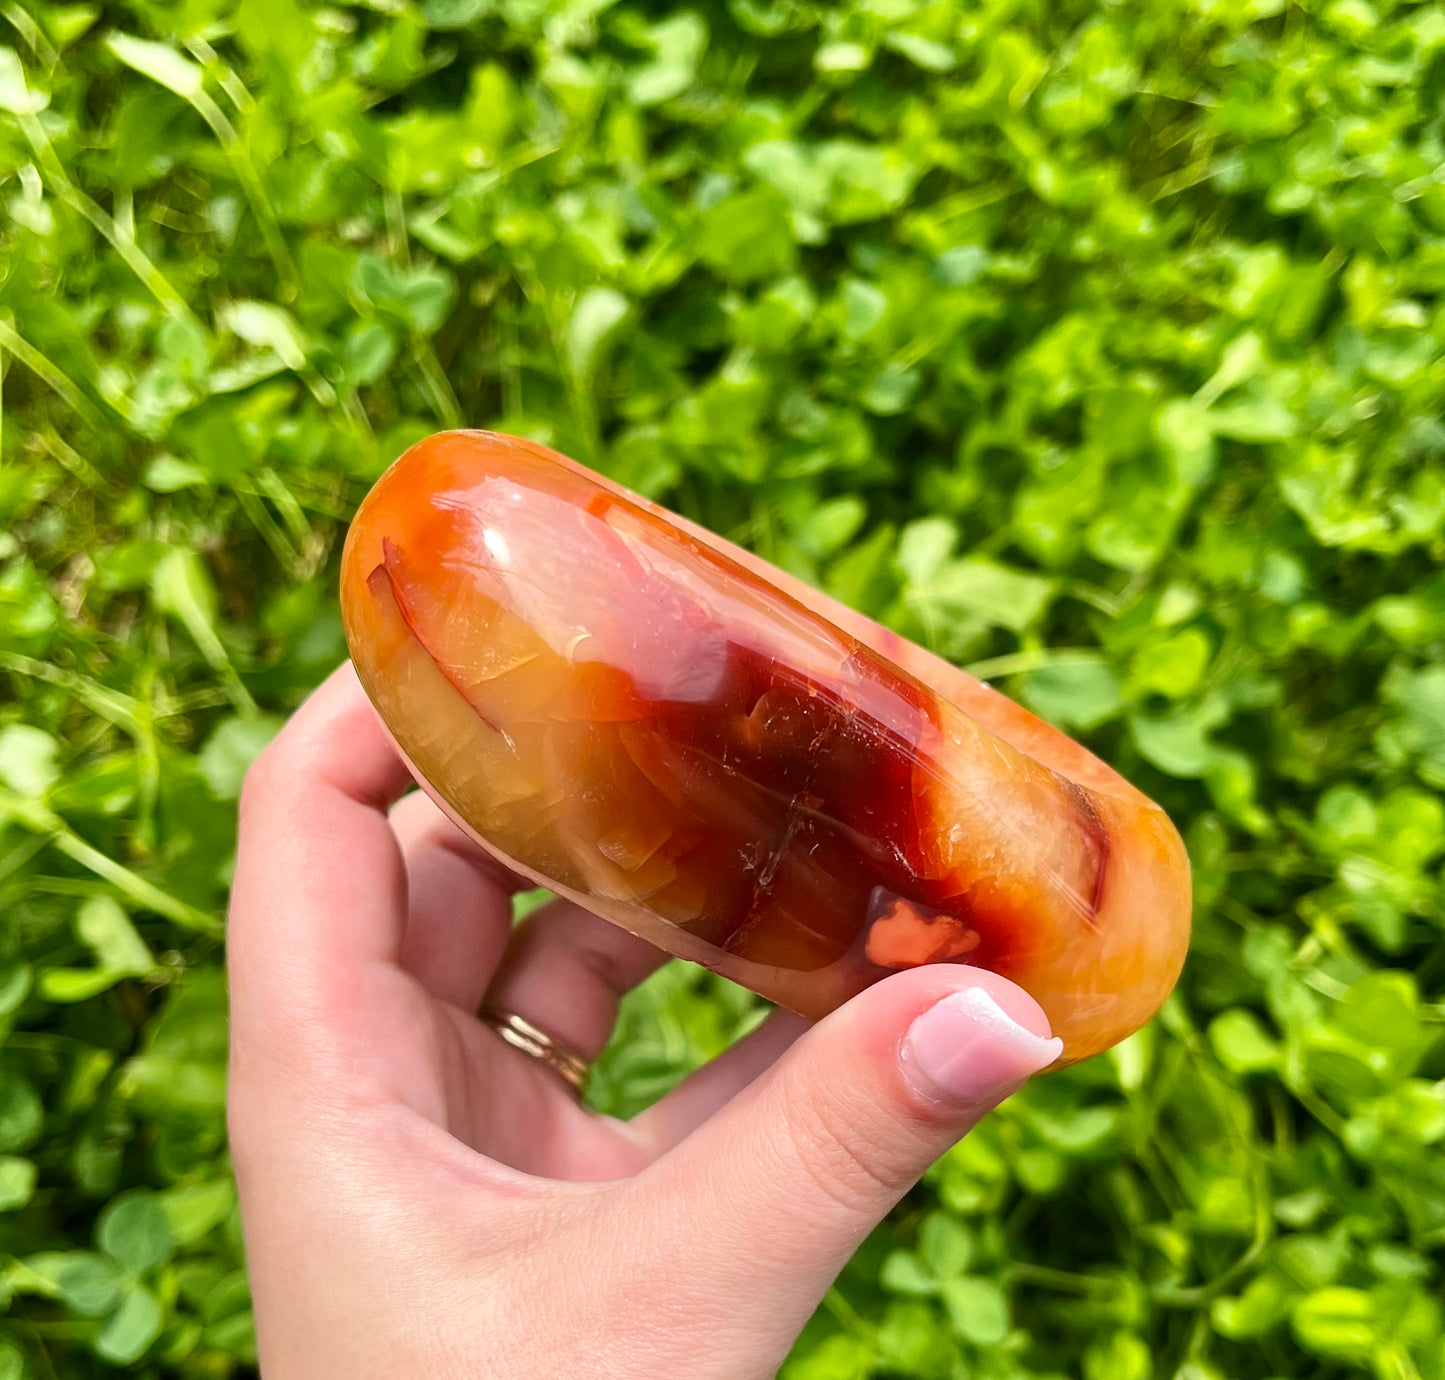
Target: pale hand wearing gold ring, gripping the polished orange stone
(423, 1200)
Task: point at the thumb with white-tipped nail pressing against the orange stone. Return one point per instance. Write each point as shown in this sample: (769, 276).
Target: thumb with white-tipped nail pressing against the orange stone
(795, 1171)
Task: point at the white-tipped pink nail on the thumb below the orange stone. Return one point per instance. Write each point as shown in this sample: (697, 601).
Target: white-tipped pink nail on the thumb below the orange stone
(970, 1050)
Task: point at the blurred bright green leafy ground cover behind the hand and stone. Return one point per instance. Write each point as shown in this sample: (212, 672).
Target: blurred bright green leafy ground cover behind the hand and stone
(1099, 345)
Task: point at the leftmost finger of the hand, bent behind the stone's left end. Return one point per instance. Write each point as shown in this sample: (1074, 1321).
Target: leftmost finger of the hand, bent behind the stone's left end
(320, 891)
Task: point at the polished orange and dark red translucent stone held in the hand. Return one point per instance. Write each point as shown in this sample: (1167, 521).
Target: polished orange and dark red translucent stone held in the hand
(733, 767)
